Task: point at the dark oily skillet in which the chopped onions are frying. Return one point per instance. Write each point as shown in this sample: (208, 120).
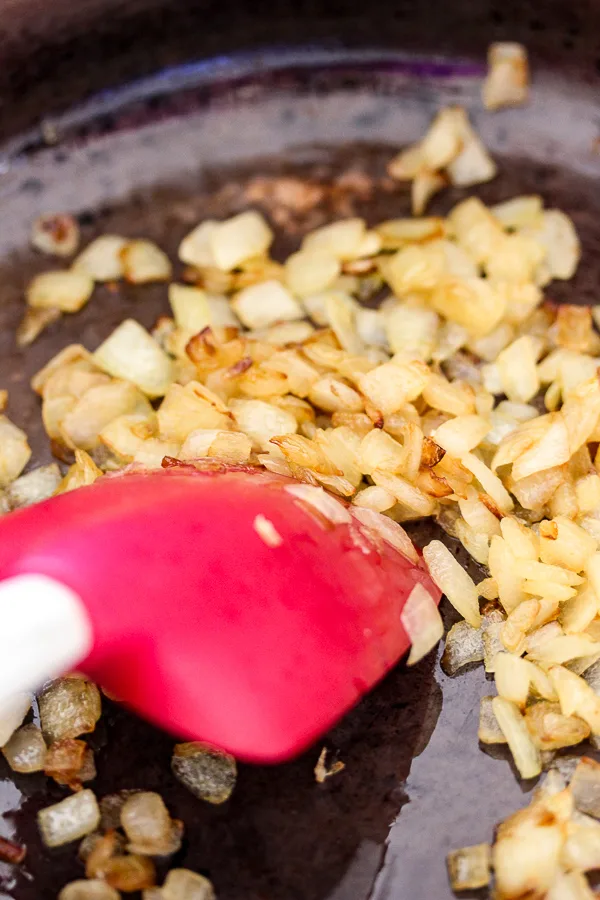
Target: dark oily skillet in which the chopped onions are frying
(151, 159)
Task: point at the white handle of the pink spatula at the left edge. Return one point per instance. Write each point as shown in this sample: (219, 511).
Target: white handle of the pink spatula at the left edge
(44, 632)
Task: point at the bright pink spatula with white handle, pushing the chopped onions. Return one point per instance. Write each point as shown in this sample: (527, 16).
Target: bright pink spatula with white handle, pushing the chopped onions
(225, 607)
